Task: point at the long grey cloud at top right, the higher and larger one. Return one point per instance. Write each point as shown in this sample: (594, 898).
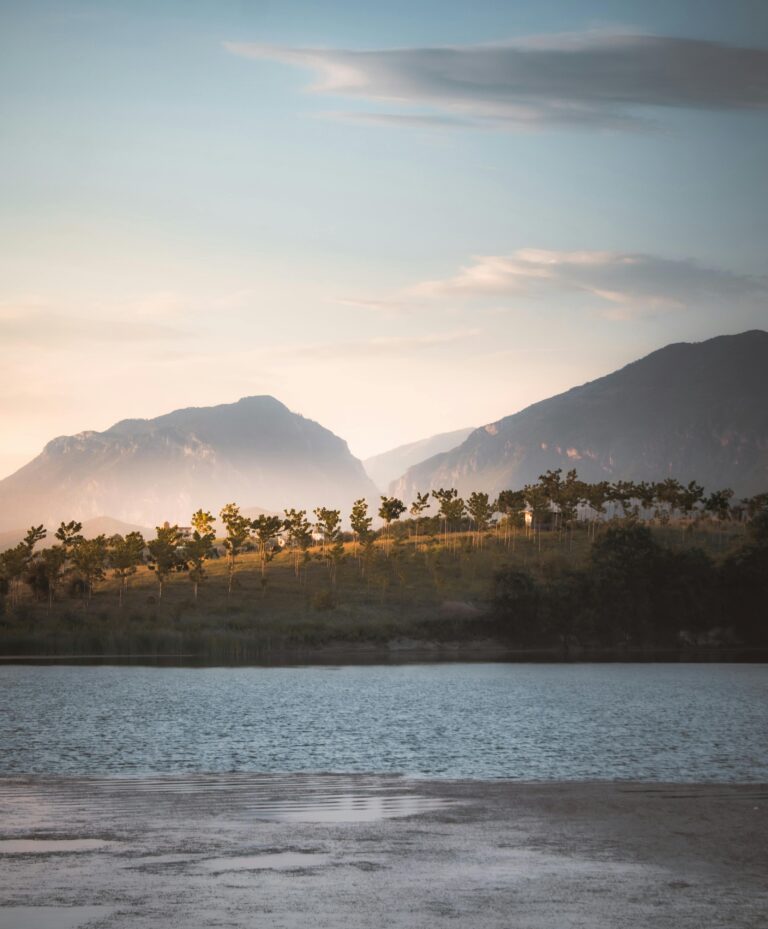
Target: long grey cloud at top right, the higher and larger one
(591, 79)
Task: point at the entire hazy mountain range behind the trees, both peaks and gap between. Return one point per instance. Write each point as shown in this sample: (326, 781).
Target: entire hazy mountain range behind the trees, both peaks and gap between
(694, 411)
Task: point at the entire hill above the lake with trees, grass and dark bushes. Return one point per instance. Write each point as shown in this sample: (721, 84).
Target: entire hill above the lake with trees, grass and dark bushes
(560, 568)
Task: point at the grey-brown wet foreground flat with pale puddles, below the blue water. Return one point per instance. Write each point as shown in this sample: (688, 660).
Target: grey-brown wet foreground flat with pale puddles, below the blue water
(314, 851)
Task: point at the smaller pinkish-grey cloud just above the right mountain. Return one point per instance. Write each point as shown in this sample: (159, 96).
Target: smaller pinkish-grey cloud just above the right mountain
(623, 284)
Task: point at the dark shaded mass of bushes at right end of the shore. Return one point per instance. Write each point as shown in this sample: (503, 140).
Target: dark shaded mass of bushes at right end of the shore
(634, 592)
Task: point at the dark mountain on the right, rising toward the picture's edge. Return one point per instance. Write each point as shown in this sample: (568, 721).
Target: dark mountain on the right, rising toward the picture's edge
(691, 411)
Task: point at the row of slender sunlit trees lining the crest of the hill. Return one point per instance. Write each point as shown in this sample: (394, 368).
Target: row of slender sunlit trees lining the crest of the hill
(557, 502)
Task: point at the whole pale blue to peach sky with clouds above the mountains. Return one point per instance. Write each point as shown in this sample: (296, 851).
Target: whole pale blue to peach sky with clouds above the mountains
(398, 219)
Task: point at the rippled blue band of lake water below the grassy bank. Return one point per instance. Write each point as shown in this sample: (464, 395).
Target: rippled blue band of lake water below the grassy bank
(664, 722)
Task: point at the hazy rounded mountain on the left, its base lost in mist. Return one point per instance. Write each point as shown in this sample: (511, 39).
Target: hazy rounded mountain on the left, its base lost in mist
(255, 452)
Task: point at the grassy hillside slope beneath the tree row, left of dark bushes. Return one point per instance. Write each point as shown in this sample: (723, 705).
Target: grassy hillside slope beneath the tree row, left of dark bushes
(400, 591)
